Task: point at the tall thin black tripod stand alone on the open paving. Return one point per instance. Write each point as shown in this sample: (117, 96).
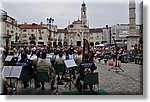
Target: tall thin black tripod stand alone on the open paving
(116, 67)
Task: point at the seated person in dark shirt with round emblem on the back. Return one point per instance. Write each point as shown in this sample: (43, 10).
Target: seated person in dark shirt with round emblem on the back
(86, 66)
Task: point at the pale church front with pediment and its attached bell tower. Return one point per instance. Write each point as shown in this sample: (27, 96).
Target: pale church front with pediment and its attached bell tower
(79, 29)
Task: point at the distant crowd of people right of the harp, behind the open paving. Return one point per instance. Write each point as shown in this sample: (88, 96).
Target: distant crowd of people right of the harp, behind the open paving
(123, 54)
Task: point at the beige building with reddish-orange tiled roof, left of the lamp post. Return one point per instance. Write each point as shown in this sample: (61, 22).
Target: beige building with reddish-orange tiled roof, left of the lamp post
(34, 34)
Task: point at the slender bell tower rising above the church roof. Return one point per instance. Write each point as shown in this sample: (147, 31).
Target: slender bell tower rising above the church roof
(84, 14)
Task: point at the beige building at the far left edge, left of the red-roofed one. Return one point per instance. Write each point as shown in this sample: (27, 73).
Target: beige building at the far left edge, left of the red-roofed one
(10, 31)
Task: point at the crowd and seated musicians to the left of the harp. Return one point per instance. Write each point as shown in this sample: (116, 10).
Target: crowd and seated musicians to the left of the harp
(23, 56)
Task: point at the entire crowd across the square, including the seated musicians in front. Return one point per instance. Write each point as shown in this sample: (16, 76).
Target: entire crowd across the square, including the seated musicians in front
(23, 56)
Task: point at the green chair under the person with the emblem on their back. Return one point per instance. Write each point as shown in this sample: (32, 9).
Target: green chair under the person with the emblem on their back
(90, 79)
